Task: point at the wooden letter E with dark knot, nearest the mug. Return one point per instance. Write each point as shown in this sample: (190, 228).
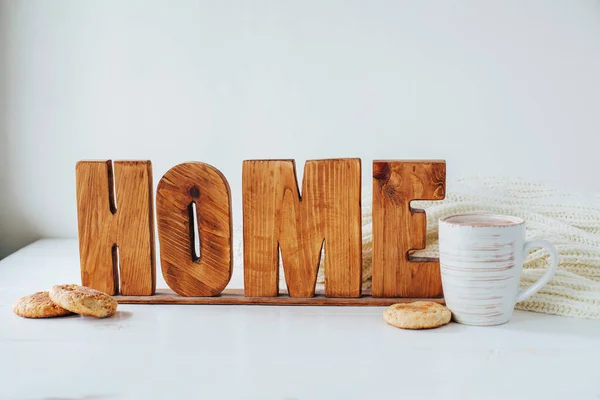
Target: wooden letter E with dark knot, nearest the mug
(398, 228)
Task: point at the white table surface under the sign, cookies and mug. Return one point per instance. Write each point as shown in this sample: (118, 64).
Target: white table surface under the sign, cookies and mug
(268, 352)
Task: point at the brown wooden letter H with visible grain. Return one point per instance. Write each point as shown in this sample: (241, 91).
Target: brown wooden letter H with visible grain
(116, 238)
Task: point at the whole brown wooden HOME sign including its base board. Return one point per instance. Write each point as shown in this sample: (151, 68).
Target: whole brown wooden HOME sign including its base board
(115, 206)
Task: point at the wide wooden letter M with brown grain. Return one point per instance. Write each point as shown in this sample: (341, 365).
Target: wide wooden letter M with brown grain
(328, 215)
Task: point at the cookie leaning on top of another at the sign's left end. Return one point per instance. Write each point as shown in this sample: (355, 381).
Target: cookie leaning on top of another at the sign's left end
(83, 300)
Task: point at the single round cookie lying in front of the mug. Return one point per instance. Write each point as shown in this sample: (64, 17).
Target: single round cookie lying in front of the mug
(417, 315)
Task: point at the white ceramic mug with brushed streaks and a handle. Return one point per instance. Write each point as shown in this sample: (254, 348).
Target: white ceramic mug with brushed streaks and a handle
(481, 259)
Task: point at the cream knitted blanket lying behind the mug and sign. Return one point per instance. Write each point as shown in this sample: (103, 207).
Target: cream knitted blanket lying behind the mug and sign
(570, 221)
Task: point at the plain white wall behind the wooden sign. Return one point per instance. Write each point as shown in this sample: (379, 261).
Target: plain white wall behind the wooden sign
(494, 87)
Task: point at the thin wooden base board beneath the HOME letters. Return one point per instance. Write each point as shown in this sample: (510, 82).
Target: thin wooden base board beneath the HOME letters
(236, 296)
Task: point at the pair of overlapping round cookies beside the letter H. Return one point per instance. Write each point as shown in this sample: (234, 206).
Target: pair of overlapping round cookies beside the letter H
(64, 300)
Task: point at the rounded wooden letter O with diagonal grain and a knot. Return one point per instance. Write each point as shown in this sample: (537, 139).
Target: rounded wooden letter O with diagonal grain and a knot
(208, 188)
